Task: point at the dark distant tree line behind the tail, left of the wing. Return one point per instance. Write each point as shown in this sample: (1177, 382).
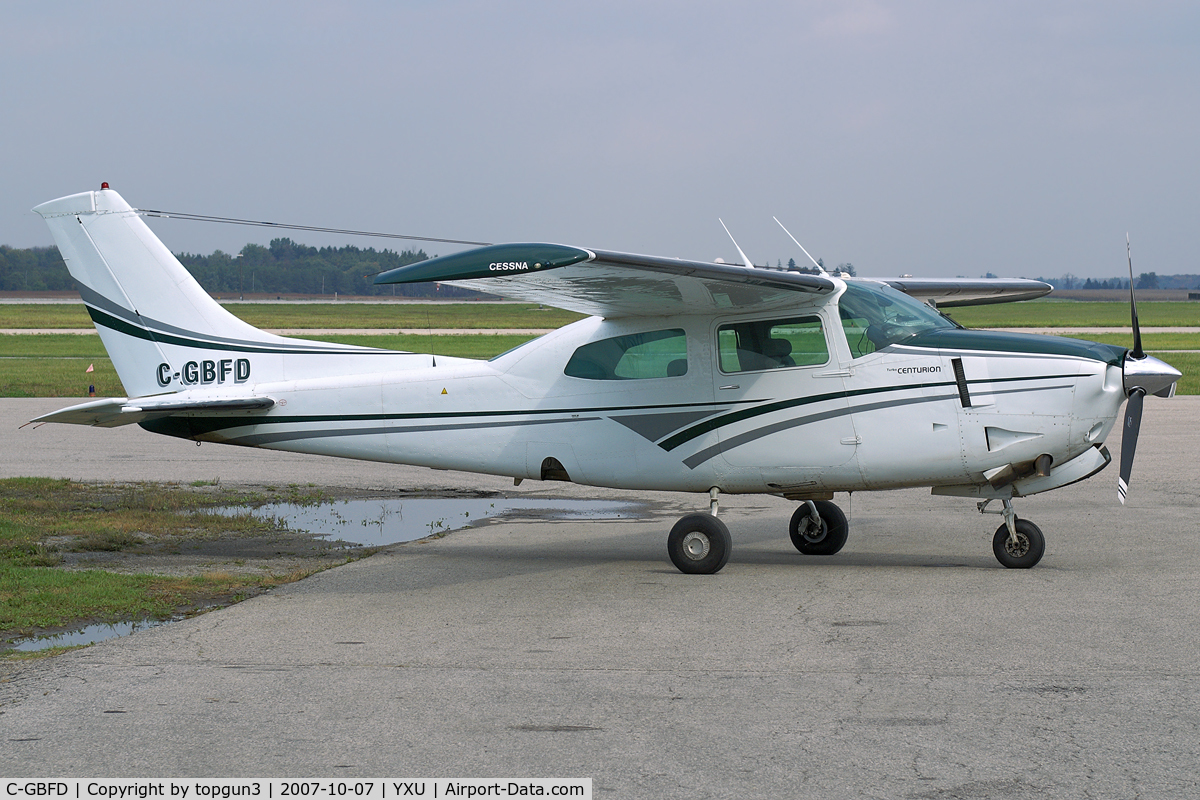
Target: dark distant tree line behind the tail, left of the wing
(283, 268)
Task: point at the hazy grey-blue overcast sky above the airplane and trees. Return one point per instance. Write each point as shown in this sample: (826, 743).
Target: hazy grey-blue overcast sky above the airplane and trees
(933, 139)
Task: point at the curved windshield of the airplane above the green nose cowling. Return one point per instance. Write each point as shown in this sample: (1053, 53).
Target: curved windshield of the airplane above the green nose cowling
(875, 316)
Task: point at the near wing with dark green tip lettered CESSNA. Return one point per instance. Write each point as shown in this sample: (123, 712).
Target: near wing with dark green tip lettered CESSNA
(613, 285)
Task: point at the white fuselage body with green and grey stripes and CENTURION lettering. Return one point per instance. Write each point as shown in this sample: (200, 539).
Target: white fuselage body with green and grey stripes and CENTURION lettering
(886, 419)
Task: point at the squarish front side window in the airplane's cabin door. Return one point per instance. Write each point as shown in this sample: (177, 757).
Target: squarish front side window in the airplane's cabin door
(772, 345)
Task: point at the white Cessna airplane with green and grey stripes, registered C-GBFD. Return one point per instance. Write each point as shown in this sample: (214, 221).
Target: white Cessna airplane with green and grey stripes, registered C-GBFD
(689, 377)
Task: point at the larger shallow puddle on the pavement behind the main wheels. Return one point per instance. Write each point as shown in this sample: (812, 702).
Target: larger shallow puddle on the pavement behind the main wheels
(380, 522)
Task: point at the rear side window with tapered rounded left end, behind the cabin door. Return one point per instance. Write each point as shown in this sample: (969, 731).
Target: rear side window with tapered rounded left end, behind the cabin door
(657, 354)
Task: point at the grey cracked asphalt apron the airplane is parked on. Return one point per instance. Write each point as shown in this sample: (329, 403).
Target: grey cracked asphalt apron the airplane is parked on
(909, 666)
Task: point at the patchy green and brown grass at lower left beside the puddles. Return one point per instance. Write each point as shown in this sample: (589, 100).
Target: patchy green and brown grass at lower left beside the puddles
(41, 519)
